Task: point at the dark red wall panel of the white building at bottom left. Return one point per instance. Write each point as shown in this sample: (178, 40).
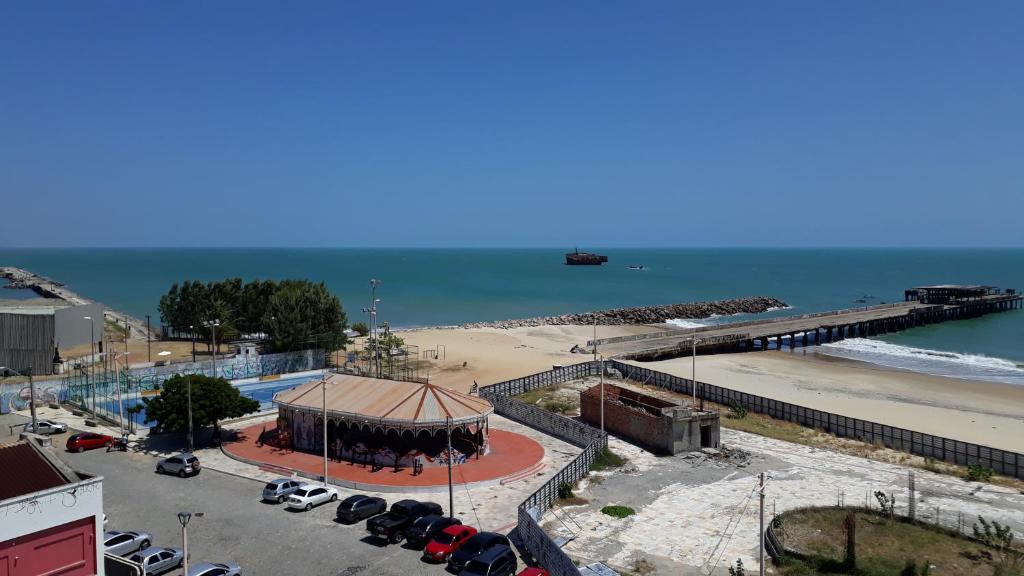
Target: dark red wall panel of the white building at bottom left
(69, 550)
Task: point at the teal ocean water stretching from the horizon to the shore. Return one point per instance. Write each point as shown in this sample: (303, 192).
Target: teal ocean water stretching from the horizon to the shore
(432, 287)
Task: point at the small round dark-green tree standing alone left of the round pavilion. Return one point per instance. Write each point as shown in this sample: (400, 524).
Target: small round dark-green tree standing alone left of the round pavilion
(212, 401)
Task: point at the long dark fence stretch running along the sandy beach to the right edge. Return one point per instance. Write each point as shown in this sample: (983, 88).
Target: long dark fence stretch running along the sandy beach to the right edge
(945, 449)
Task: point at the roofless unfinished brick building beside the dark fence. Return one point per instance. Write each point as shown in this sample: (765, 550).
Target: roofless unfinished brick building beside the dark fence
(657, 425)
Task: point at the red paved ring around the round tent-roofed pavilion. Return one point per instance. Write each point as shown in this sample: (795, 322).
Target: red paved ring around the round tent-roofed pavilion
(511, 455)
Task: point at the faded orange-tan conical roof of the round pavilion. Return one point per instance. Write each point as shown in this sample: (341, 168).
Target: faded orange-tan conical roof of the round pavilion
(390, 402)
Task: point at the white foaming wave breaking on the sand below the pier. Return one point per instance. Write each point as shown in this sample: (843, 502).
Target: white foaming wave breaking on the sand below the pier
(941, 363)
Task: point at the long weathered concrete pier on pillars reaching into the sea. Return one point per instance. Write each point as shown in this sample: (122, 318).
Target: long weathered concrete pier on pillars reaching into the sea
(923, 306)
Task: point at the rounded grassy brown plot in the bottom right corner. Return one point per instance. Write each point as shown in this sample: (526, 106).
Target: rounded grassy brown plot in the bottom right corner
(885, 547)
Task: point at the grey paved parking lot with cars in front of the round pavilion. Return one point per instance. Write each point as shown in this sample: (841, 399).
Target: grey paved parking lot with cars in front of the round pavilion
(265, 540)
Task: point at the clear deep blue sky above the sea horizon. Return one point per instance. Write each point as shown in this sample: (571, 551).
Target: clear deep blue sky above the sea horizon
(511, 124)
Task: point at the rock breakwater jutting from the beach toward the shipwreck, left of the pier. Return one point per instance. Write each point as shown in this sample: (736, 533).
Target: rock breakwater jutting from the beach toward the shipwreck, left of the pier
(645, 315)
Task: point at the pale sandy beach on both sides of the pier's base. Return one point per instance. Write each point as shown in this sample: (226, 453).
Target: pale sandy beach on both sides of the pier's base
(987, 414)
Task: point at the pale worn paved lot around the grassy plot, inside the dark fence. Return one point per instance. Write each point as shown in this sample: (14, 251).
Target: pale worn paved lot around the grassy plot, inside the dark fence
(697, 513)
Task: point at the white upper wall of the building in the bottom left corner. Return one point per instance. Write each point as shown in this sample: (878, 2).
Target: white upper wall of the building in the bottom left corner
(48, 509)
